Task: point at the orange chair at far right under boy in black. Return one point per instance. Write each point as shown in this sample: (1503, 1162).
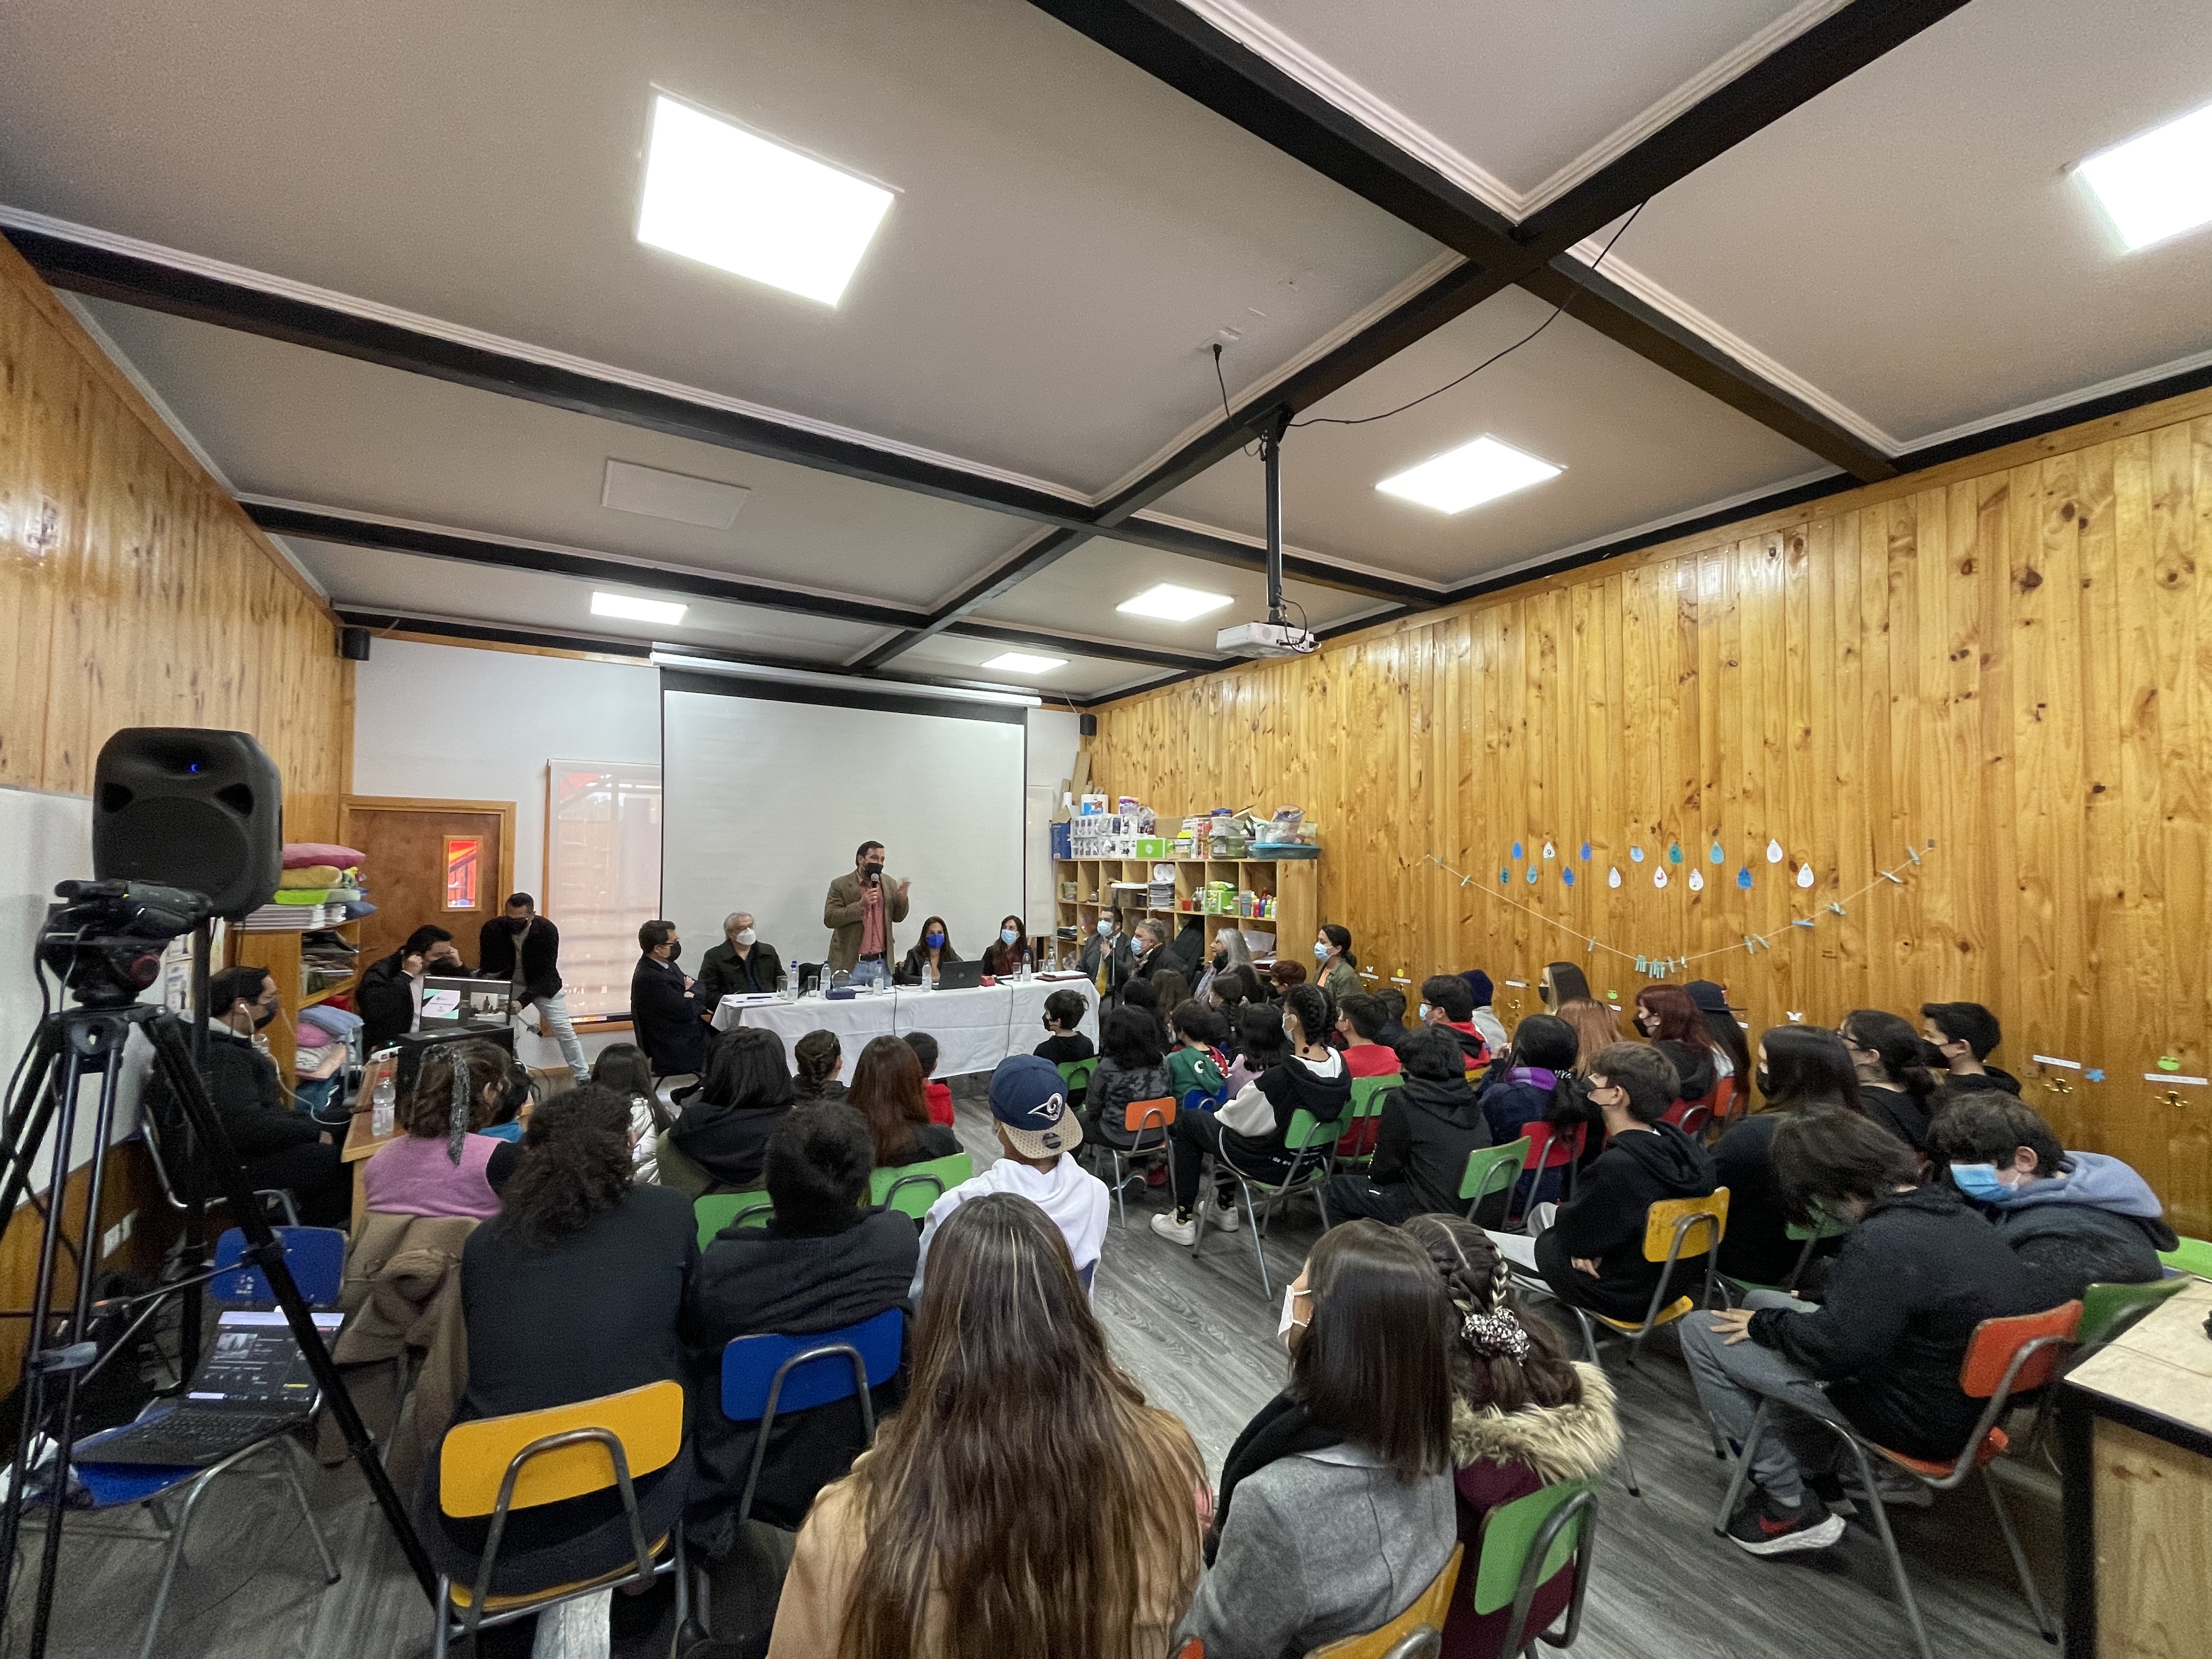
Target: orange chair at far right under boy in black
(2005, 1359)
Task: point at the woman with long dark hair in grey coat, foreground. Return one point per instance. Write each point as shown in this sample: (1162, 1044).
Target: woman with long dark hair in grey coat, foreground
(1339, 1490)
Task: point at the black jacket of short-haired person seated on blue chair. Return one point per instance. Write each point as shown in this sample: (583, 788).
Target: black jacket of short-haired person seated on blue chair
(753, 1282)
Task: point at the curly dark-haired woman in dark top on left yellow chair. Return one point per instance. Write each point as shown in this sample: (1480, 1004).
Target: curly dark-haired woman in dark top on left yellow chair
(570, 1293)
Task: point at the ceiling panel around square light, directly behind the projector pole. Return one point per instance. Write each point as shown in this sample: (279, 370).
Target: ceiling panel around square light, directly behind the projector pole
(1636, 444)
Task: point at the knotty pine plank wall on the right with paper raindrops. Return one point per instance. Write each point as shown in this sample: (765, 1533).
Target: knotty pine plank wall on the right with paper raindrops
(2010, 658)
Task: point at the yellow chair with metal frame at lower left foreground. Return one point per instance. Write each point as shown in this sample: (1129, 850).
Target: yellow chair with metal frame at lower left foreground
(499, 1465)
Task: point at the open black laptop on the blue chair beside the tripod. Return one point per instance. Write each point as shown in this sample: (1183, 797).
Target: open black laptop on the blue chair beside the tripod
(249, 1386)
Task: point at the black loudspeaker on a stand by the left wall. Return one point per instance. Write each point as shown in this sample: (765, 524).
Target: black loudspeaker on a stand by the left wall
(189, 808)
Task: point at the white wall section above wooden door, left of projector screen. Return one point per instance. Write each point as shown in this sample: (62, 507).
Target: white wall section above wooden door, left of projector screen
(463, 724)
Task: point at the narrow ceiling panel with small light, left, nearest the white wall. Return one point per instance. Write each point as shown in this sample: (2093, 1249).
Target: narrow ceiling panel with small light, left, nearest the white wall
(532, 601)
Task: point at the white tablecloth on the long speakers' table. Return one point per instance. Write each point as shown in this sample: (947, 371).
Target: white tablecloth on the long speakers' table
(974, 1030)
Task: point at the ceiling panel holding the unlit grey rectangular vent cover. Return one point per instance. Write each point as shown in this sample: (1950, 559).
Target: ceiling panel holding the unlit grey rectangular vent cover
(309, 426)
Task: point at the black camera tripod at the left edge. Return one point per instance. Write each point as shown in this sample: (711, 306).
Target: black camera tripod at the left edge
(70, 1047)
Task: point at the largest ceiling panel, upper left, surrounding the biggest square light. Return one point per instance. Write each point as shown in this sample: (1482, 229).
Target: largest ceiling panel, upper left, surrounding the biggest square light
(1067, 231)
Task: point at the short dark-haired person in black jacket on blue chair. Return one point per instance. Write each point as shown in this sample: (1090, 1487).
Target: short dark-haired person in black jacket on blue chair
(824, 1262)
